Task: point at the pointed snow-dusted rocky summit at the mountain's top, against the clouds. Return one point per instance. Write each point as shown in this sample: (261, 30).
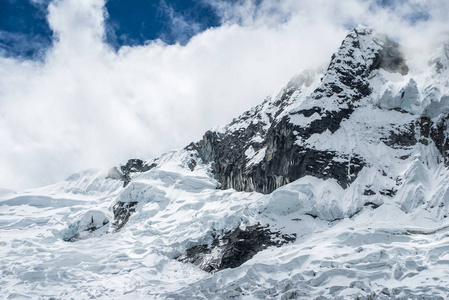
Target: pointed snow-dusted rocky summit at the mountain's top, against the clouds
(346, 80)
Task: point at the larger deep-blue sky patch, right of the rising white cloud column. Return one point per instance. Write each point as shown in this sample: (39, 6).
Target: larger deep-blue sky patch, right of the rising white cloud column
(136, 21)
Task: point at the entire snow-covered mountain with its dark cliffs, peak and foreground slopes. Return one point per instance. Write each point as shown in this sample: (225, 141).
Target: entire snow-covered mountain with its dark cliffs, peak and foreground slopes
(336, 188)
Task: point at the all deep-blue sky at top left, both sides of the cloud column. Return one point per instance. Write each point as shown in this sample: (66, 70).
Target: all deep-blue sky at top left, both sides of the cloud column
(25, 32)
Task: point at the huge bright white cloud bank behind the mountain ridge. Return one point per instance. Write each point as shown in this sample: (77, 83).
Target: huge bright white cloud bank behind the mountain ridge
(88, 106)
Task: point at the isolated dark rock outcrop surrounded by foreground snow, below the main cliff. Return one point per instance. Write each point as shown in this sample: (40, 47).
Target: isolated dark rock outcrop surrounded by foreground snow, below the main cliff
(234, 248)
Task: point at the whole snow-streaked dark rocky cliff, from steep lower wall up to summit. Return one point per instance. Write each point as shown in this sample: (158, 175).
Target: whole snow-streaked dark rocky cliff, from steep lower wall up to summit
(268, 147)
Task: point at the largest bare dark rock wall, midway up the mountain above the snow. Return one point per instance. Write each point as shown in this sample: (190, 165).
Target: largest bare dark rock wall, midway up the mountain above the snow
(284, 160)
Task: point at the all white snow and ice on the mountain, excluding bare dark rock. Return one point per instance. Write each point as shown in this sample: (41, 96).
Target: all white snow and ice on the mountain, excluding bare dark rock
(385, 236)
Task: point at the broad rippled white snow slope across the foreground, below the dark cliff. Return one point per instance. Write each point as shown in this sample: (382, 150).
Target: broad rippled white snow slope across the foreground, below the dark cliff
(383, 251)
